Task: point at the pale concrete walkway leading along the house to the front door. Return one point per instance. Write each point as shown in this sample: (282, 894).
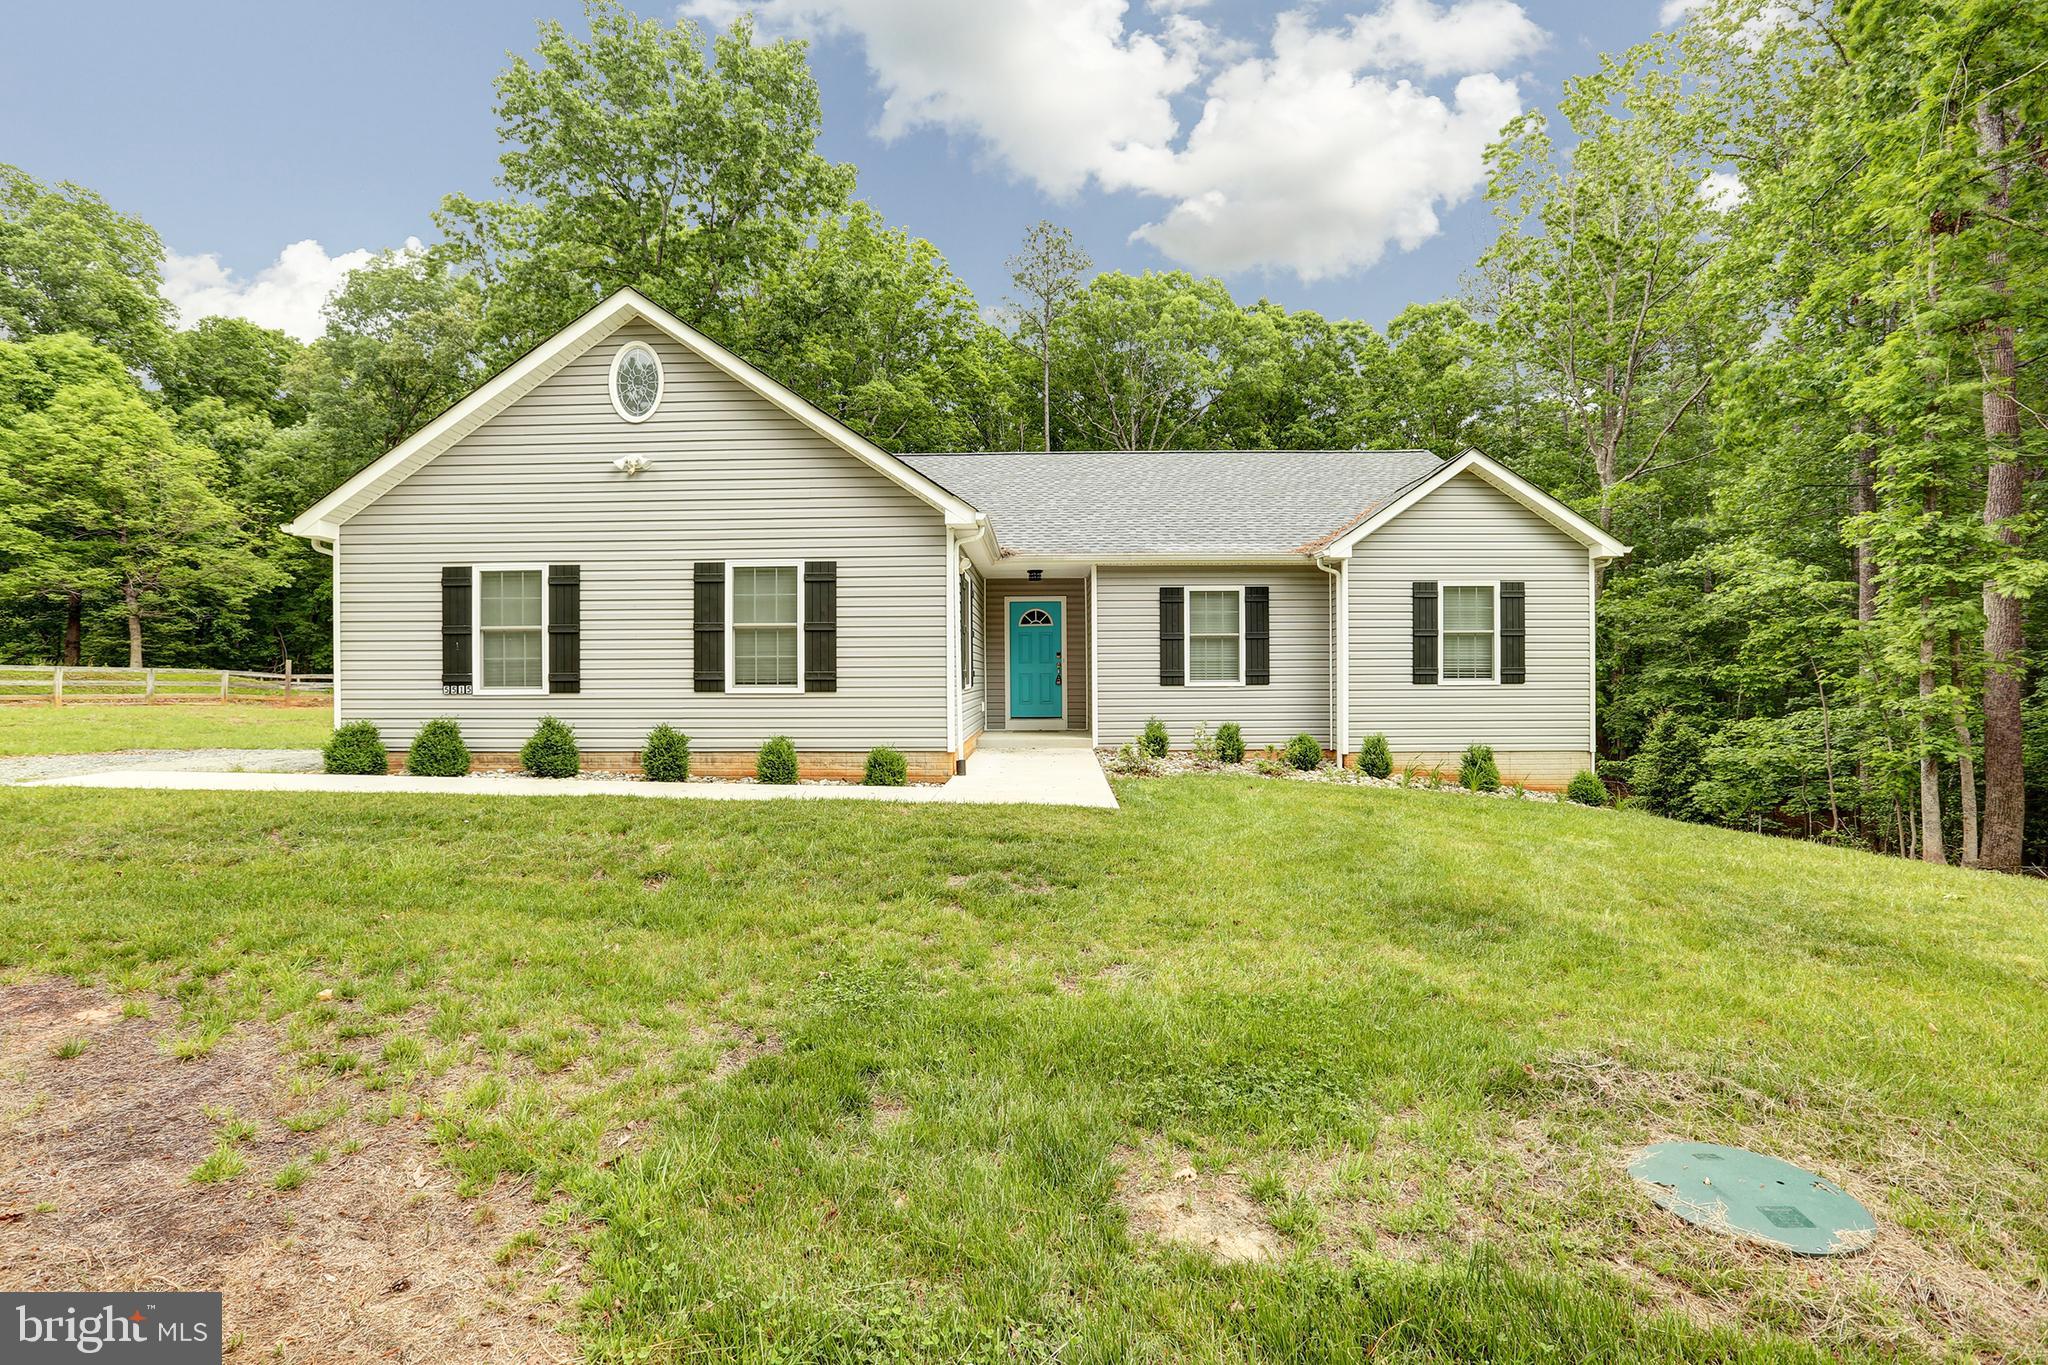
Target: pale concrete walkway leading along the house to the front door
(1035, 770)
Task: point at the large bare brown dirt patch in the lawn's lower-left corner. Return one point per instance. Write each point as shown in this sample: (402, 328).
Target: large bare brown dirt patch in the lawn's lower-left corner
(343, 1243)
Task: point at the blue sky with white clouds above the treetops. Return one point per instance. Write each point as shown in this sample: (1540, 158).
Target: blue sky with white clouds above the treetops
(1318, 155)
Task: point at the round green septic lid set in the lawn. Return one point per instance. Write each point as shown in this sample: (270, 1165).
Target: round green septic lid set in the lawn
(1748, 1194)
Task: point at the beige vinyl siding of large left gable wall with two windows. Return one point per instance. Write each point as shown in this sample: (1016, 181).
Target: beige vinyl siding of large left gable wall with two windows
(732, 480)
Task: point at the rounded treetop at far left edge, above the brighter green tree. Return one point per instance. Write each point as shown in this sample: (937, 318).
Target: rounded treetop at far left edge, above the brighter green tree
(71, 263)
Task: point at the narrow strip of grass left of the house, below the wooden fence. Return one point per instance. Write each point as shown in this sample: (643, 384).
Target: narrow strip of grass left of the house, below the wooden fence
(87, 728)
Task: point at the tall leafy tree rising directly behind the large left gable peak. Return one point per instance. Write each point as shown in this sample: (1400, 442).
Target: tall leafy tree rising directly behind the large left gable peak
(636, 161)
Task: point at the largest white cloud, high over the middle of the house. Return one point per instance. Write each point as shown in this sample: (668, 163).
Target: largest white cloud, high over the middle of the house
(1312, 157)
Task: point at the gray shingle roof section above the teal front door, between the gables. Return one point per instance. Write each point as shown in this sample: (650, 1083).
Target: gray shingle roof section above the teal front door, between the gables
(1175, 502)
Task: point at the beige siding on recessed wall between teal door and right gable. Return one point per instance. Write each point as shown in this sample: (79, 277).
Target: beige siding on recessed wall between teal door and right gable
(1127, 656)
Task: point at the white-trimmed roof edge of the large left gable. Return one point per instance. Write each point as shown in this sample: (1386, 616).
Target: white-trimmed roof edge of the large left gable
(325, 519)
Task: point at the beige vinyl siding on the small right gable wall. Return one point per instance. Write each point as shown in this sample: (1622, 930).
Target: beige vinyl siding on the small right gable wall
(1469, 531)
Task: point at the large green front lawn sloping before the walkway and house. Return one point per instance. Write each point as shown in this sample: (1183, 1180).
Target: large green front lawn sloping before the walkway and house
(1418, 1030)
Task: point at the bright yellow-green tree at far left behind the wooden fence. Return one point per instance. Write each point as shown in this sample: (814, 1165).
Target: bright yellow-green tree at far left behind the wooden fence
(110, 502)
